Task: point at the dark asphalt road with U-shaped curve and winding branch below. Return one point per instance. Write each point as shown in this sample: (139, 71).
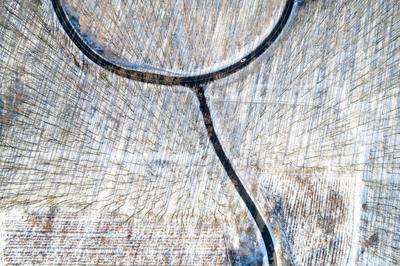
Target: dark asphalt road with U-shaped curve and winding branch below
(196, 83)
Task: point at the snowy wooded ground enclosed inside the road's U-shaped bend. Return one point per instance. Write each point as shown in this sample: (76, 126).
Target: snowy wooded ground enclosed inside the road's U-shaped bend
(181, 36)
